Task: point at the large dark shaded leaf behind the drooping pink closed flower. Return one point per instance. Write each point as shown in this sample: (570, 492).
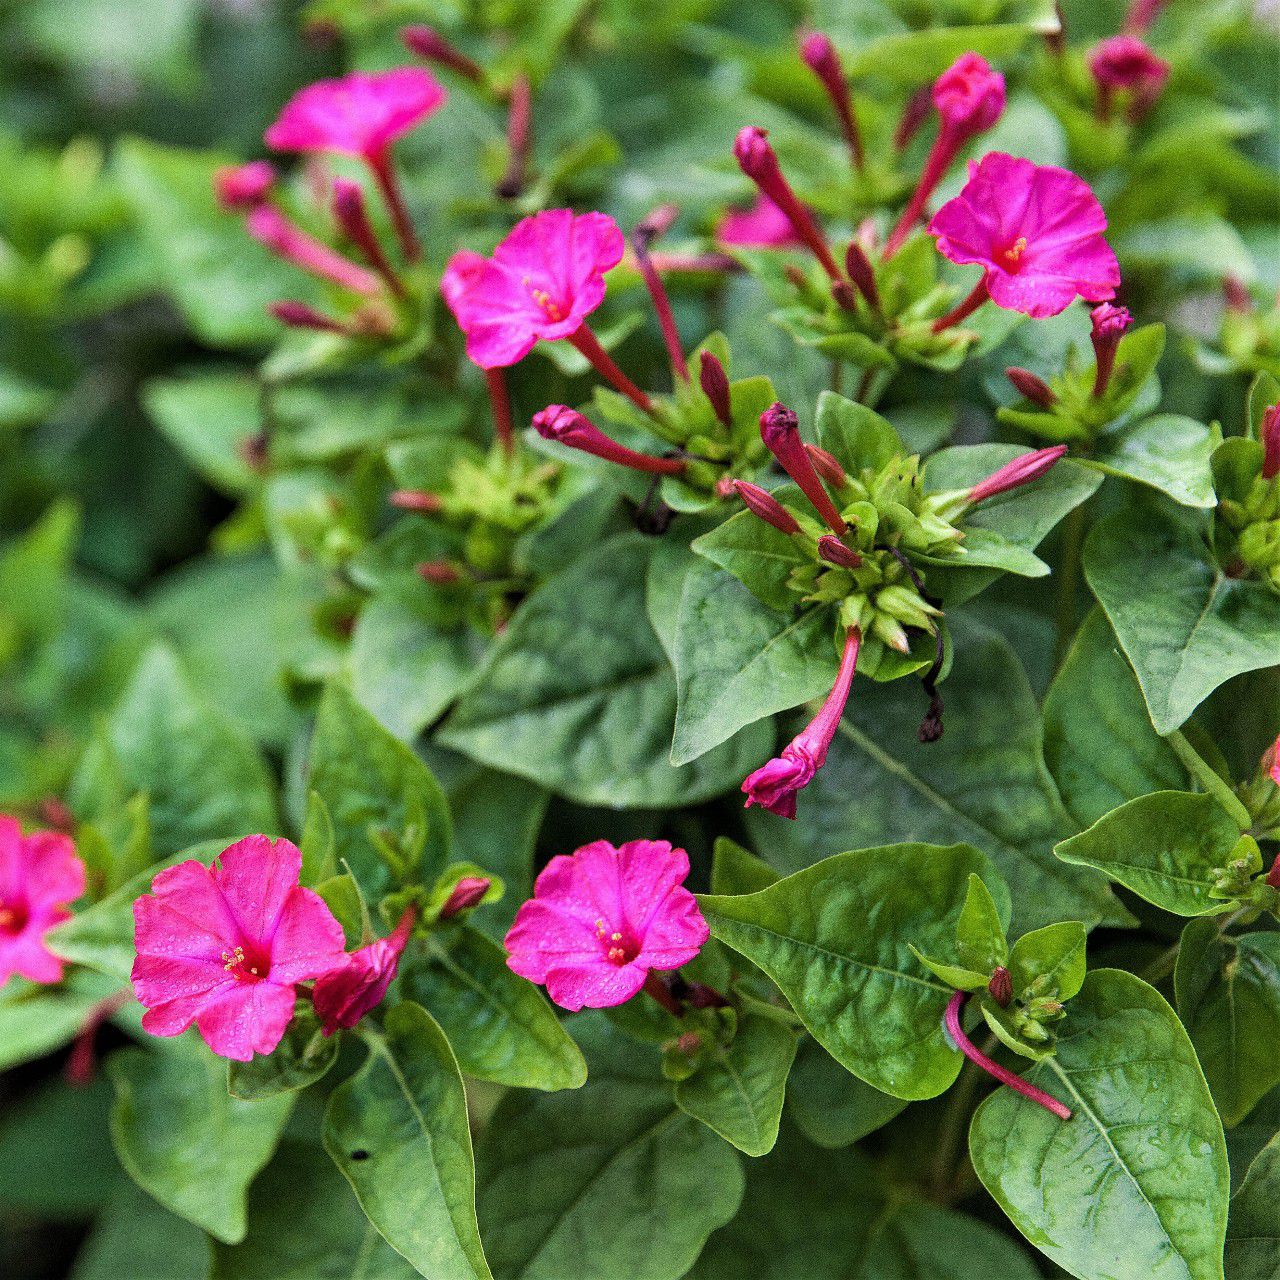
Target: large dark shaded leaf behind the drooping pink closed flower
(984, 784)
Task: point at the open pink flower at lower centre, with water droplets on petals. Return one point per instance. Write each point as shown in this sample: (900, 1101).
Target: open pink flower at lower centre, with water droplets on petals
(604, 918)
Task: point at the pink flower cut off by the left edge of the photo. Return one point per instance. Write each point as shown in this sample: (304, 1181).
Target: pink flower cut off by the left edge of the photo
(39, 876)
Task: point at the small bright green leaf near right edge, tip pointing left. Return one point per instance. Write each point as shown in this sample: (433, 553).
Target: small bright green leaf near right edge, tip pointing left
(1164, 847)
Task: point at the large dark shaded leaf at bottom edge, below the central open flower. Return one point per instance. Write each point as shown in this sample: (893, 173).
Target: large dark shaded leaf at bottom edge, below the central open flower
(610, 1181)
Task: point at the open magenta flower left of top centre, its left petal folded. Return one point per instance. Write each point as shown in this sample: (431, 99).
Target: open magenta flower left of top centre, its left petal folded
(542, 284)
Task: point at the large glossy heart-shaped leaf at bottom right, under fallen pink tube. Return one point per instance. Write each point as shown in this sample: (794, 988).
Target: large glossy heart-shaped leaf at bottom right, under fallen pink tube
(1135, 1186)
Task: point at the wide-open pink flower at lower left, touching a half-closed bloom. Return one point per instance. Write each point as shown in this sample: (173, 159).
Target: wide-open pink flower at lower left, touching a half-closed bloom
(225, 947)
